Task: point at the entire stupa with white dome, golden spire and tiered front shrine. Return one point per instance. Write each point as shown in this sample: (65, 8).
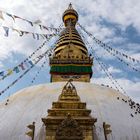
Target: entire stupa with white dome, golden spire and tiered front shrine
(70, 107)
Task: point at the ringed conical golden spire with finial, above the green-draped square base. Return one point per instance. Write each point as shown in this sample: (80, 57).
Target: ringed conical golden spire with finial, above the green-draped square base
(70, 36)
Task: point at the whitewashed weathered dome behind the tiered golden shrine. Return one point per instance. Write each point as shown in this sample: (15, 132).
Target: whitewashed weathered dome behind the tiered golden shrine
(31, 104)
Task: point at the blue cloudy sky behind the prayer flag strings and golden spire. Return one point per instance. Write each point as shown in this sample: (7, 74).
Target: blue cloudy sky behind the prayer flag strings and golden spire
(116, 23)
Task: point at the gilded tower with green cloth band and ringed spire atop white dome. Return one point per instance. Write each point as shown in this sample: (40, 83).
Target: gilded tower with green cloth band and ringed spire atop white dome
(70, 59)
